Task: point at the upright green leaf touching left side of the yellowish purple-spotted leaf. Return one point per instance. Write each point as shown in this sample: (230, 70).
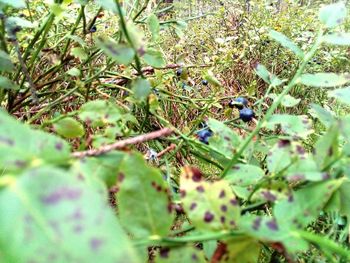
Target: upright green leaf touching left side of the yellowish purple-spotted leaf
(143, 199)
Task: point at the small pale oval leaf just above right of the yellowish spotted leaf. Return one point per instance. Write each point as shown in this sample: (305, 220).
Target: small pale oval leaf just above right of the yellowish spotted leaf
(244, 175)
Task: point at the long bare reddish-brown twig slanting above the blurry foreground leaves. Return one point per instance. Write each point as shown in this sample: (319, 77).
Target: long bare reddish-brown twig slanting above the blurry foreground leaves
(123, 143)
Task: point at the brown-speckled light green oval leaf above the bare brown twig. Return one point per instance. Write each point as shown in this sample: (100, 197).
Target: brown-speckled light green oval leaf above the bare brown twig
(99, 113)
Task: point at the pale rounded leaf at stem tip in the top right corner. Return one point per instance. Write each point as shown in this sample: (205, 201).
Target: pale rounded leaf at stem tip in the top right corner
(333, 15)
